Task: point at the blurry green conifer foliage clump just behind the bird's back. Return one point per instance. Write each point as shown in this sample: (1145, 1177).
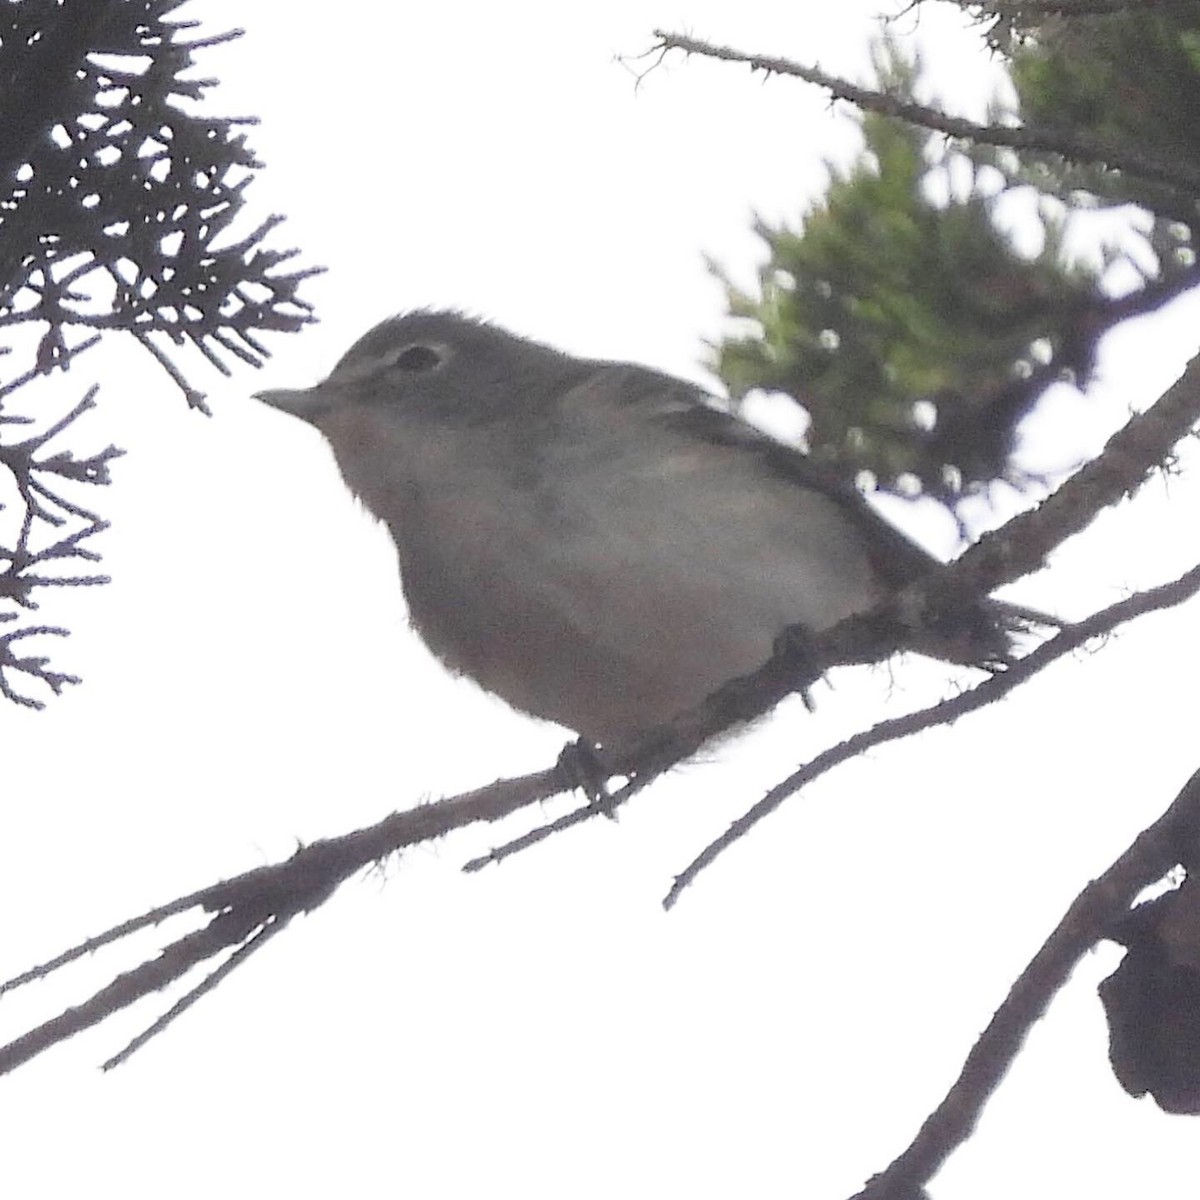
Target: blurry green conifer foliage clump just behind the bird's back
(909, 327)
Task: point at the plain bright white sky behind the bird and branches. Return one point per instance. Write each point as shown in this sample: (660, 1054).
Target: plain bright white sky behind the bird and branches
(544, 1029)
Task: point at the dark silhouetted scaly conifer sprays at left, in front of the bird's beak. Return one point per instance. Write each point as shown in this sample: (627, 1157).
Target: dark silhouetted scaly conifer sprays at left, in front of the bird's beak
(117, 201)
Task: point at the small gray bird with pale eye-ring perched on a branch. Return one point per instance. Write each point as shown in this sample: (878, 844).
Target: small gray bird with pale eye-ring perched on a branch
(598, 543)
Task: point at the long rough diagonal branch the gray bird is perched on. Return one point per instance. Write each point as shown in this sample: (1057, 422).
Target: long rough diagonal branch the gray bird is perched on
(274, 895)
